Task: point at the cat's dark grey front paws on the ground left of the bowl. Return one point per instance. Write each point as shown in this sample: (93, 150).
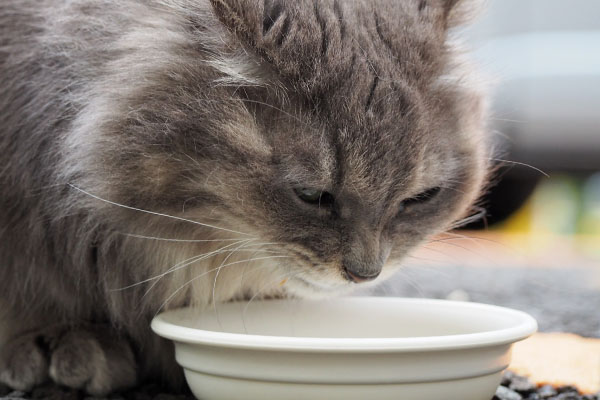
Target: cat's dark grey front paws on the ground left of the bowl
(90, 358)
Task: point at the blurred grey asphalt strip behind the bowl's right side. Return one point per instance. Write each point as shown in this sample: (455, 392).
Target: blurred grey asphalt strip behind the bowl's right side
(562, 300)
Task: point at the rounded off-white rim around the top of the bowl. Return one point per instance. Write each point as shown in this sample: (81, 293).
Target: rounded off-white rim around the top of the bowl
(525, 327)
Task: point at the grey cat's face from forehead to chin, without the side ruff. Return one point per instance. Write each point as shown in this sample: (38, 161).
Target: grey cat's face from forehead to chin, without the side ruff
(360, 140)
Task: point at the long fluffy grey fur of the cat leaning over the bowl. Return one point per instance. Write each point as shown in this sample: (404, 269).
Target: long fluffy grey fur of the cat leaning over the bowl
(213, 111)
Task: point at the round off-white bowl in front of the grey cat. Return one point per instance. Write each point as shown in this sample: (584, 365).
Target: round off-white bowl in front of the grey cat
(349, 348)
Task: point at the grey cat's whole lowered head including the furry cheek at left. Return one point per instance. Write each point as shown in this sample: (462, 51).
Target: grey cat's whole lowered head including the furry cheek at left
(343, 131)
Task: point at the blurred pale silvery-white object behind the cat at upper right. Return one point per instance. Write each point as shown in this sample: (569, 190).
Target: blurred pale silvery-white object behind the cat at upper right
(545, 55)
